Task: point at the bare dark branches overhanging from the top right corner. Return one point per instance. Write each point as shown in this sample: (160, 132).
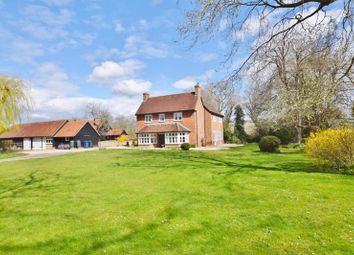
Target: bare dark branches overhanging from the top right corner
(264, 20)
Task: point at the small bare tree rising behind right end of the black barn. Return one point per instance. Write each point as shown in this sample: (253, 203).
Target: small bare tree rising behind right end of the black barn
(96, 111)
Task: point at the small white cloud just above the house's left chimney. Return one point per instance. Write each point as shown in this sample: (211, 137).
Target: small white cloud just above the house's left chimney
(131, 87)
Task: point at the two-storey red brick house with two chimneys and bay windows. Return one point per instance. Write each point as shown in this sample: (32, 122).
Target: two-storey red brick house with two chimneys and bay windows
(179, 118)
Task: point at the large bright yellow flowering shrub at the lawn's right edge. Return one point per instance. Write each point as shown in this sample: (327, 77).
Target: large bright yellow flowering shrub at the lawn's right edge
(332, 146)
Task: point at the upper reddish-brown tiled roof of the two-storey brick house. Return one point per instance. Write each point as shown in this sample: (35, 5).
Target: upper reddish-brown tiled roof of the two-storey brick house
(172, 103)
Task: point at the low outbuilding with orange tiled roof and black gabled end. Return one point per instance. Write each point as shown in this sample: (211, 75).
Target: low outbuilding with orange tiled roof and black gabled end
(51, 134)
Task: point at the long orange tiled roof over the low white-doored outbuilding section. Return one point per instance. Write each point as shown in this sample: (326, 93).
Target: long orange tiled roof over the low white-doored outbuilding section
(36, 129)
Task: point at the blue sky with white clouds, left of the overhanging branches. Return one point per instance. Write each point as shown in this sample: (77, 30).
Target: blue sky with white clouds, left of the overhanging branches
(75, 52)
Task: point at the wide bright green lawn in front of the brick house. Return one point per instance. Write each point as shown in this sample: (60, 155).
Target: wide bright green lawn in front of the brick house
(238, 201)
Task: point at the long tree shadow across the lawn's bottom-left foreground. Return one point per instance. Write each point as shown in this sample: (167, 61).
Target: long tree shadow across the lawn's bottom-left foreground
(97, 241)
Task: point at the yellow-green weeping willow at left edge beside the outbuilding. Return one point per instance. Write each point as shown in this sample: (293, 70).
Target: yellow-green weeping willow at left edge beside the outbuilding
(14, 101)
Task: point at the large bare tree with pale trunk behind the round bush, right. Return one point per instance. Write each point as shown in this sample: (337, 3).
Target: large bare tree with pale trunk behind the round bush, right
(307, 77)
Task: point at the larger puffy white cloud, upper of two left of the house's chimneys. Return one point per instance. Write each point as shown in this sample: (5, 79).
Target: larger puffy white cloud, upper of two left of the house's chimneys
(109, 71)
